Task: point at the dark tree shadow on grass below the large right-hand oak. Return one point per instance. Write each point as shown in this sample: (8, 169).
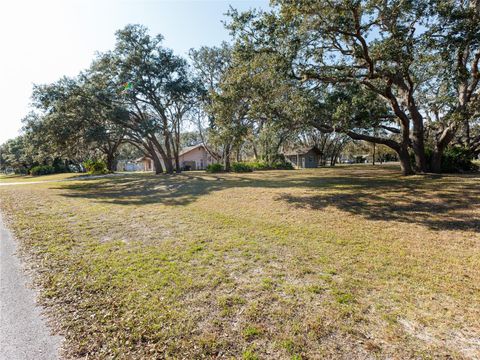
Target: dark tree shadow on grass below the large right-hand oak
(437, 209)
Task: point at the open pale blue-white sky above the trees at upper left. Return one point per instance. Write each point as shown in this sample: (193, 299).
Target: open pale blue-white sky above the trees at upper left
(43, 40)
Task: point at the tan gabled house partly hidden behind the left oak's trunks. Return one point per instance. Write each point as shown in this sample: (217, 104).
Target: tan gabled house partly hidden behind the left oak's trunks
(191, 158)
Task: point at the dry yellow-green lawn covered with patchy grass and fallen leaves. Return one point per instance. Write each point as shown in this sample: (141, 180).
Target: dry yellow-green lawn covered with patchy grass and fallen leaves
(326, 263)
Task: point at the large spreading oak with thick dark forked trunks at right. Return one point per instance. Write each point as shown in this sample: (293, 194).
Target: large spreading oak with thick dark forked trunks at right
(387, 47)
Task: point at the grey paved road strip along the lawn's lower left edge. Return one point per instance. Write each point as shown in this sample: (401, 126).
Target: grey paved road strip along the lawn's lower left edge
(24, 334)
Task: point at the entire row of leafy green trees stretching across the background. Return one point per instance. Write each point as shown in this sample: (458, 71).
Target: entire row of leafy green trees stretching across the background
(400, 74)
